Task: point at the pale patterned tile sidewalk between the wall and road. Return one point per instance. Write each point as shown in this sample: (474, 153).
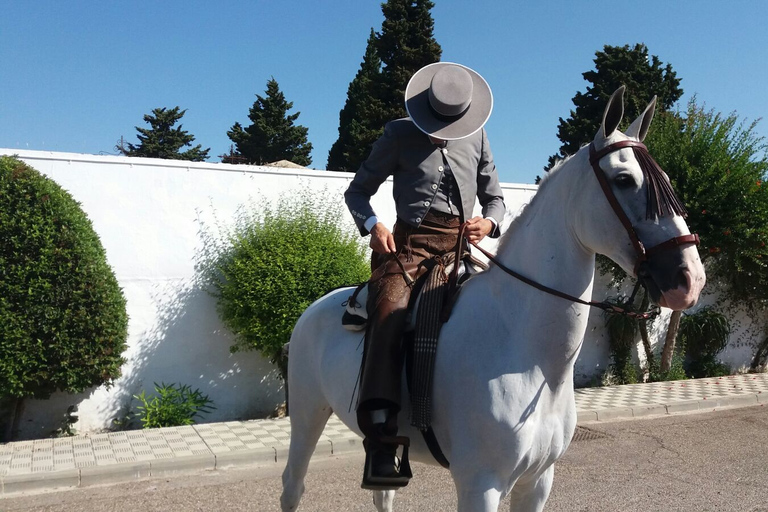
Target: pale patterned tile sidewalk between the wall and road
(81, 461)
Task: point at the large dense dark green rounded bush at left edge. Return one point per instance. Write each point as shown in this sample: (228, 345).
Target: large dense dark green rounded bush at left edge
(63, 323)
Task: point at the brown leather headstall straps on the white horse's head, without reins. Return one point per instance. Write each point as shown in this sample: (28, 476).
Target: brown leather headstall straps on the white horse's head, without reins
(642, 253)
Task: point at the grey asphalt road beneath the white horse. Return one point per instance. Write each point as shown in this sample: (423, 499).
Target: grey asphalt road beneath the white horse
(704, 462)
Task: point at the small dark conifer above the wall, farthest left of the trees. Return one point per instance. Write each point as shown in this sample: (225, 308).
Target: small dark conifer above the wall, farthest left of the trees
(162, 140)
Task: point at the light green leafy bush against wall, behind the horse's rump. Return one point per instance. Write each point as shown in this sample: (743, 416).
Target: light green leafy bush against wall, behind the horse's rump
(276, 261)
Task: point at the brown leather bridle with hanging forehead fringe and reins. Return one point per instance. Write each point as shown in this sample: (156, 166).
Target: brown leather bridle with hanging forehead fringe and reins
(661, 195)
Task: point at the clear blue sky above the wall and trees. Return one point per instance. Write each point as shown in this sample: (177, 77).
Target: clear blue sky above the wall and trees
(76, 76)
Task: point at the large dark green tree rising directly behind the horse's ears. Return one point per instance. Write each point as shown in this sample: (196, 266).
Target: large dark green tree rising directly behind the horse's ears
(644, 77)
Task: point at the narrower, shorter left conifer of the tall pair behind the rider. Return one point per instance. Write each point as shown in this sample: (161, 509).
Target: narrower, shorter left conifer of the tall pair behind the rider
(356, 131)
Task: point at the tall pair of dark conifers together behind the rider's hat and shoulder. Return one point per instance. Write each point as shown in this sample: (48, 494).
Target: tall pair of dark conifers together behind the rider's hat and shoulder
(376, 95)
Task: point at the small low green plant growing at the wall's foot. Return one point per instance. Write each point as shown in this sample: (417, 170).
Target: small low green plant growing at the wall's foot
(173, 406)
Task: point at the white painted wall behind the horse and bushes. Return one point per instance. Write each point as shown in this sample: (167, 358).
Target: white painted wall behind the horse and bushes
(148, 213)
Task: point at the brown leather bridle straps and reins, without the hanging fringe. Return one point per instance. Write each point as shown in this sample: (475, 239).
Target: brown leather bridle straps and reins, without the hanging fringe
(642, 253)
